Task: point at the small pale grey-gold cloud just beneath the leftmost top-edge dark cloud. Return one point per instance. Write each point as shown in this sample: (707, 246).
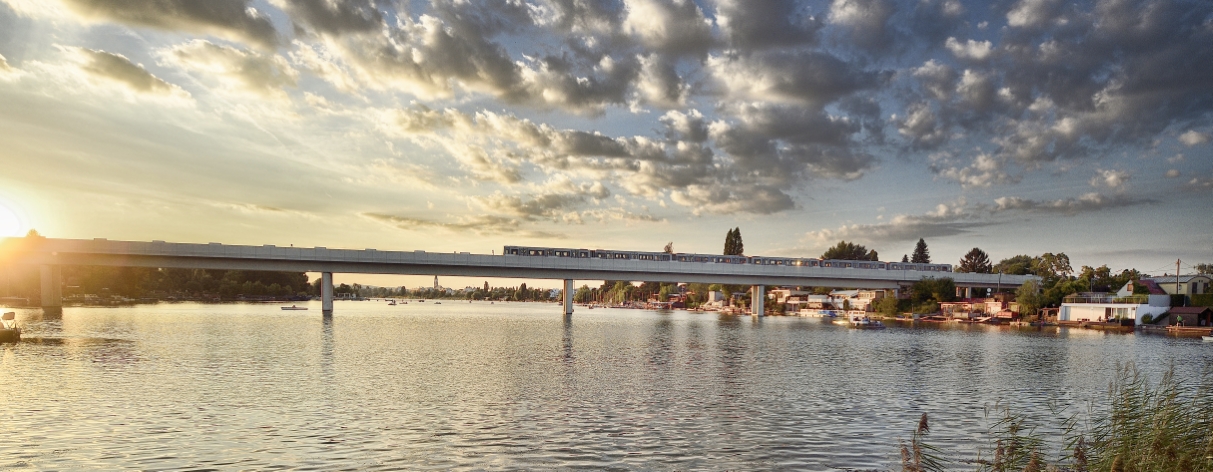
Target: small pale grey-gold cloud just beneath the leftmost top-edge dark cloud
(264, 75)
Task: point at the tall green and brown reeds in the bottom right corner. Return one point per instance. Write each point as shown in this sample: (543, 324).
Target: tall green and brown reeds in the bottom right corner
(1138, 428)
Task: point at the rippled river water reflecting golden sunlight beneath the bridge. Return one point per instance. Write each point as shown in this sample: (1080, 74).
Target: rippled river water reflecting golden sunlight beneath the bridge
(516, 386)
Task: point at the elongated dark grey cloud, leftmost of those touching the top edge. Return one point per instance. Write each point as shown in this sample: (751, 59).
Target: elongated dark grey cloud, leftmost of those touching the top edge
(226, 19)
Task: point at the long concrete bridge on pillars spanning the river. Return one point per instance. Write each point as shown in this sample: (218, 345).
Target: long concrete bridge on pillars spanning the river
(53, 254)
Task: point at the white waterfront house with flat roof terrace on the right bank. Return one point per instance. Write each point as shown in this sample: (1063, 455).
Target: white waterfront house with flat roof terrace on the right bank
(1107, 308)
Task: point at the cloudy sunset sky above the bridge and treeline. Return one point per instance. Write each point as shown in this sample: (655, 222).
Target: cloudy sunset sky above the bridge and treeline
(1017, 127)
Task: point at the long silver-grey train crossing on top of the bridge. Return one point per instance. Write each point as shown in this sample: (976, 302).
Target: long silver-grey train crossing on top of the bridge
(719, 259)
